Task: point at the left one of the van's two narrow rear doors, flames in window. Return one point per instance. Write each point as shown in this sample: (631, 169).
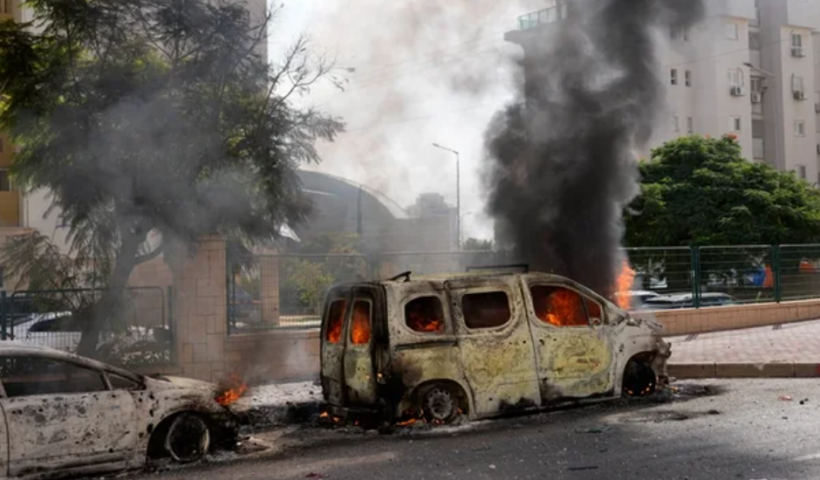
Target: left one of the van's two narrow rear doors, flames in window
(333, 344)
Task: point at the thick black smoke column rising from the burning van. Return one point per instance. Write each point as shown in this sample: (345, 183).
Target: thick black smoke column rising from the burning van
(561, 165)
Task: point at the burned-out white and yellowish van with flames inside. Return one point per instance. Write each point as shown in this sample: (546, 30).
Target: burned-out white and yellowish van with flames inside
(481, 345)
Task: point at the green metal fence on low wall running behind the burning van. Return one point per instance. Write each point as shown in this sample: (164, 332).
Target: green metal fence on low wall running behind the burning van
(286, 291)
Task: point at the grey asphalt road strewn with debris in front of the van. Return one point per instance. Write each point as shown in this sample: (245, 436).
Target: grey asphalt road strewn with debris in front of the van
(732, 430)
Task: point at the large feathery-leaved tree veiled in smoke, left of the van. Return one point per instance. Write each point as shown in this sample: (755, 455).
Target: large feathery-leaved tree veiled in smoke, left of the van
(156, 116)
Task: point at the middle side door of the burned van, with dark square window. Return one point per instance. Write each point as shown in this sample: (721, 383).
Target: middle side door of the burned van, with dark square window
(494, 343)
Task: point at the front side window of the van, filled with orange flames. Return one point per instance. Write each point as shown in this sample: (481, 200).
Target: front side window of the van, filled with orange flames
(562, 307)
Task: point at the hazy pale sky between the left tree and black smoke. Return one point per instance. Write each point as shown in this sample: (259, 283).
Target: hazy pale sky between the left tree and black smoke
(426, 71)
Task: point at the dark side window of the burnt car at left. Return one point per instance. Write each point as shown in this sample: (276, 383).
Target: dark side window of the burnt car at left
(32, 375)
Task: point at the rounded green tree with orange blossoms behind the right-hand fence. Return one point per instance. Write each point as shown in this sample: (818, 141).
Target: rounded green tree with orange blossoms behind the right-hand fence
(700, 191)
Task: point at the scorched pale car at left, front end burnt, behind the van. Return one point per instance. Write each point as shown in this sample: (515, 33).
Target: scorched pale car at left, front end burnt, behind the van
(68, 415)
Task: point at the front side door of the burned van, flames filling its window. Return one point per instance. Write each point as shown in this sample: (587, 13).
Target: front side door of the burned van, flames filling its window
(572, 341)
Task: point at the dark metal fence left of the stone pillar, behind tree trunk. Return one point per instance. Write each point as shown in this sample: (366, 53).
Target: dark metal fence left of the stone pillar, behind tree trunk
(139, 334)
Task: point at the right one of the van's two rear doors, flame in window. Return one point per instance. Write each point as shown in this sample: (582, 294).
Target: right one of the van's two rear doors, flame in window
(360, 373)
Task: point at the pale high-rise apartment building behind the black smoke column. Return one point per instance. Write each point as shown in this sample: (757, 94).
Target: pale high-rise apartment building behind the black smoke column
(750, 68)
